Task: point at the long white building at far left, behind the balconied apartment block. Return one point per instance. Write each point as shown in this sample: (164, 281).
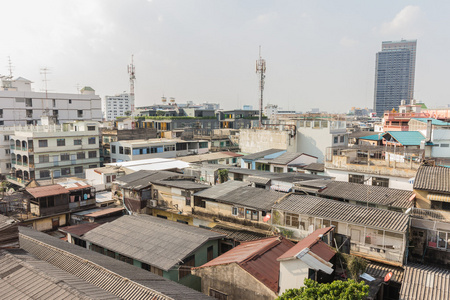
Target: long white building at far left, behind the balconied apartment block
(22, 106)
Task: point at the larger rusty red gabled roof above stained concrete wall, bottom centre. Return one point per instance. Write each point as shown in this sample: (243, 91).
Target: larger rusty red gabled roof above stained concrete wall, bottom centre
(259, 258)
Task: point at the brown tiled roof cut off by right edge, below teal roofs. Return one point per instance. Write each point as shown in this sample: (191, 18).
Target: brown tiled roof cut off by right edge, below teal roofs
(435, 179)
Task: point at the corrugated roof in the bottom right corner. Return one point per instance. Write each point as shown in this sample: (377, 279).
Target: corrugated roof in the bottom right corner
(425, 283)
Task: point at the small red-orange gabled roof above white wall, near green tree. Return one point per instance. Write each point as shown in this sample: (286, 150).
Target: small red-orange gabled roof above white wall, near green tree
(314, 243)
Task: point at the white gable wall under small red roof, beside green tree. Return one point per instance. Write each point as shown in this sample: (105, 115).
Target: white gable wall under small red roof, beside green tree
(292, 274)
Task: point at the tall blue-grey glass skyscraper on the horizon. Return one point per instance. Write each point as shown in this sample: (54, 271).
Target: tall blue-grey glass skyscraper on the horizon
(394, 74)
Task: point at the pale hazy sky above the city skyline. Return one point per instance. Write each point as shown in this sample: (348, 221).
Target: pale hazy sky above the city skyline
(319, 54)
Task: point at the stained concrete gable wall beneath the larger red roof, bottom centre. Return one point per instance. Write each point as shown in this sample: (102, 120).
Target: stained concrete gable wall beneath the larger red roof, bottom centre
(233, 281)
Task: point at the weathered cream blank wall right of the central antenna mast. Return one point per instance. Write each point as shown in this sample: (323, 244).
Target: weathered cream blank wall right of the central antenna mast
(255, 140)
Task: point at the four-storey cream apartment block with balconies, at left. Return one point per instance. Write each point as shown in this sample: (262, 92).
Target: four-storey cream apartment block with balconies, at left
(50, 150)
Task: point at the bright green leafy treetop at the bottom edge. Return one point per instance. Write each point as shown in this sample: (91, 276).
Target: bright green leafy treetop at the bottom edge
(336, 290)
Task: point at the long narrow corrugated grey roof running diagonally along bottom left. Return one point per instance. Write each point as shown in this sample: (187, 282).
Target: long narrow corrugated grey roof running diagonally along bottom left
(119, 278)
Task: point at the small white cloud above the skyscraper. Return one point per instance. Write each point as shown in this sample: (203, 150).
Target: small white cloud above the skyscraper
(405, 22)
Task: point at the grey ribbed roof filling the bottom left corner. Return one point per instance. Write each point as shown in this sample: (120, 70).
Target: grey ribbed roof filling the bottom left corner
(23, 276)
